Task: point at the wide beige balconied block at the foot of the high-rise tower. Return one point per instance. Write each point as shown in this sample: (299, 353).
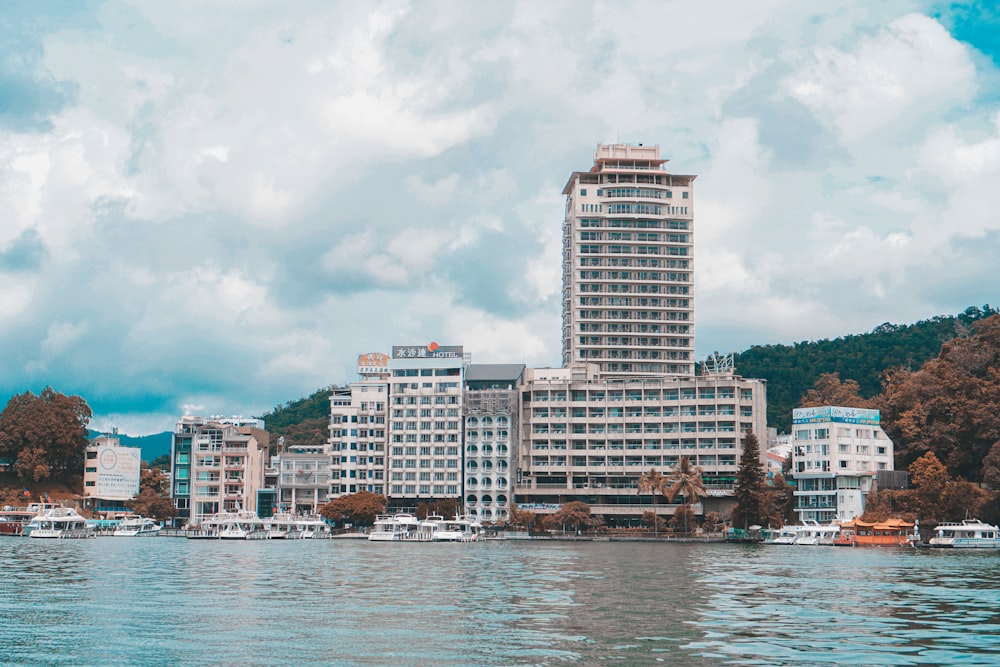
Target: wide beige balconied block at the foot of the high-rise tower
(588, 437)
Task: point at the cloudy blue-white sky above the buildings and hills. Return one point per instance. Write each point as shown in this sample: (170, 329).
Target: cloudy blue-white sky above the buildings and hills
(213, 208)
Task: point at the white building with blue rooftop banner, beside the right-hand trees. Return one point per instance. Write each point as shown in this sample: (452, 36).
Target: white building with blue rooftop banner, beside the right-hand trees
(837, 453)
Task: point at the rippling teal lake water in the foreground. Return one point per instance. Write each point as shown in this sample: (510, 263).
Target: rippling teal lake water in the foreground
(170, 601)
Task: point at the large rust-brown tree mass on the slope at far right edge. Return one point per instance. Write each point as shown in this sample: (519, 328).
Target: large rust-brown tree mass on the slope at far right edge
(949, 405)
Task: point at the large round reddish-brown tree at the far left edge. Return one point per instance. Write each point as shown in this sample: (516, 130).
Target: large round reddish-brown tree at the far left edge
(45, 435)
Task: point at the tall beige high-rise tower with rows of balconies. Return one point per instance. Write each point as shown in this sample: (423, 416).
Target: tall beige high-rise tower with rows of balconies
(628, 265)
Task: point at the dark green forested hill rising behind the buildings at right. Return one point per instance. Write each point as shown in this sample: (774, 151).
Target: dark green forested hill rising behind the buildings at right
(791, 370)
